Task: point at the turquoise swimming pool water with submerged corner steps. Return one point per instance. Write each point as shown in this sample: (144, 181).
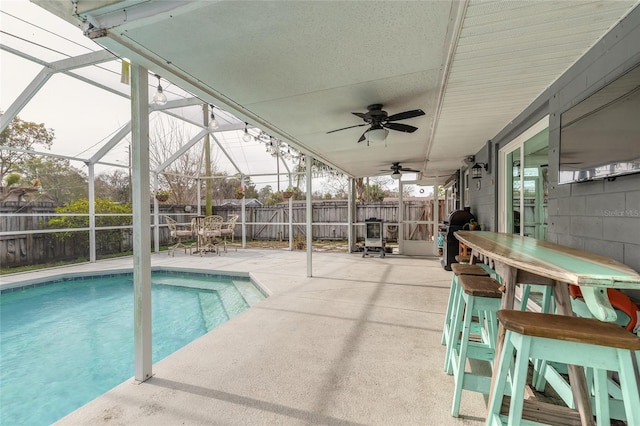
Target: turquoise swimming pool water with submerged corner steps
(65, 343)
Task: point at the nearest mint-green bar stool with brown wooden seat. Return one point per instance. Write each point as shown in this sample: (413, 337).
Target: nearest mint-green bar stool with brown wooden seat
(585, 342)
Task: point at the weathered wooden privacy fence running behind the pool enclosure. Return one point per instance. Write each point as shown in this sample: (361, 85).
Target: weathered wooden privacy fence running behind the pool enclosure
(24, 246)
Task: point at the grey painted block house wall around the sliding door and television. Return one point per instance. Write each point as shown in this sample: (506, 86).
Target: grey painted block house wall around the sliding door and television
(598, 216)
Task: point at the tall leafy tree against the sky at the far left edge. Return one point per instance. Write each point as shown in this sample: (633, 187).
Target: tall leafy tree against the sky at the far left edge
(21, 135)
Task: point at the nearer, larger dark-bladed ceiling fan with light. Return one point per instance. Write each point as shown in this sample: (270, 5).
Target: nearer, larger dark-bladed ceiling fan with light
(379, 121)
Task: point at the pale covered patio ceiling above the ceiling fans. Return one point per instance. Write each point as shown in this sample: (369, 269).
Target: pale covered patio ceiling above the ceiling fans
(298, 69)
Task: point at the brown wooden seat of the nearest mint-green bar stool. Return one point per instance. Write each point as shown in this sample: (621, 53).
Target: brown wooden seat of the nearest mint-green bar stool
(573, 329)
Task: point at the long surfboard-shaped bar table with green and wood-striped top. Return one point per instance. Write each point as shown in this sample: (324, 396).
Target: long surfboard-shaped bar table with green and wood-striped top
(520, 259)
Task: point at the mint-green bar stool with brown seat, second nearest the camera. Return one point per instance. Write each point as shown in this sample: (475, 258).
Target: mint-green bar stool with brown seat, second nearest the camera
(478, 297)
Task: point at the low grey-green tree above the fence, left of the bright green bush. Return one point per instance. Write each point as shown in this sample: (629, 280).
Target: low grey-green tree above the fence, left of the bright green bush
(61, 182)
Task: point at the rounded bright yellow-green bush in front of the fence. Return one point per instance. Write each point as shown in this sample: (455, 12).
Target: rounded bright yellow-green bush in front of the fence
(107, 241)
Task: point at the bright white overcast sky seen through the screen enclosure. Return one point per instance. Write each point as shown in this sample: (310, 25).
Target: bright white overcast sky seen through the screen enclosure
(85, 117)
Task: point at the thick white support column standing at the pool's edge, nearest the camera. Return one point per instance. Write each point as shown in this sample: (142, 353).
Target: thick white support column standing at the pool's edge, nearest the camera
(141, 223)
